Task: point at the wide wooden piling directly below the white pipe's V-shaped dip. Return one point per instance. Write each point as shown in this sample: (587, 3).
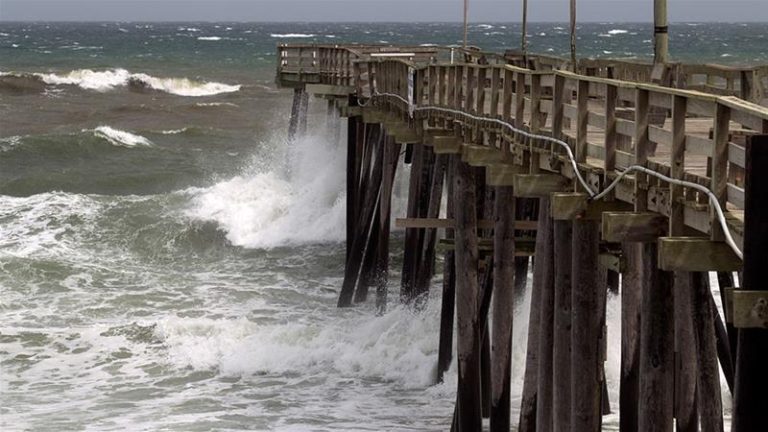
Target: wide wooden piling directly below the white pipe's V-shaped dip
(586, 385)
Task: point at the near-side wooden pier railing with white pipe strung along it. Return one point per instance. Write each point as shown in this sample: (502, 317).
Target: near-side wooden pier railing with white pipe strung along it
(609, 124)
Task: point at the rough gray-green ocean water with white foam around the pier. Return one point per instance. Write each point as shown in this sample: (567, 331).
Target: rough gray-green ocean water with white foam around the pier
(169, 262)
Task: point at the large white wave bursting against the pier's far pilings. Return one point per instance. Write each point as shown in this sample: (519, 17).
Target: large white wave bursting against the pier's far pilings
(300, 203)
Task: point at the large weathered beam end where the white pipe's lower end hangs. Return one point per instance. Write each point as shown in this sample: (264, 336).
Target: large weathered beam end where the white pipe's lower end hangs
(696, 254)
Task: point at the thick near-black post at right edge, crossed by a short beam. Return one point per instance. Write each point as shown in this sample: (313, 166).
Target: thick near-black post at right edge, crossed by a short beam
(749, 413)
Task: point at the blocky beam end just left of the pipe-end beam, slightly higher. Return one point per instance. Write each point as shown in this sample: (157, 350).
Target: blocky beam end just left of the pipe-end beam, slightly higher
(644, 227)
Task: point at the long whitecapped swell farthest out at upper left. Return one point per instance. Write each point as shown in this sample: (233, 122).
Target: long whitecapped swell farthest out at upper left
(106, 80)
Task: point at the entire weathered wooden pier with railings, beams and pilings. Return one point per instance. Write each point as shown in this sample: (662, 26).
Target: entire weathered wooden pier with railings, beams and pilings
(646, 171)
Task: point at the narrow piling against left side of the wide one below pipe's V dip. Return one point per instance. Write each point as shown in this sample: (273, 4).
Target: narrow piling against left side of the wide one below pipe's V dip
(561, 367)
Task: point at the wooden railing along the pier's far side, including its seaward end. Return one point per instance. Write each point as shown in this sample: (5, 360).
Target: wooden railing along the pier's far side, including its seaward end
(333, 64)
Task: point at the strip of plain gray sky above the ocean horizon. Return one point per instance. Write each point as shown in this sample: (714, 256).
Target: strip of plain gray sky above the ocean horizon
(373, 10)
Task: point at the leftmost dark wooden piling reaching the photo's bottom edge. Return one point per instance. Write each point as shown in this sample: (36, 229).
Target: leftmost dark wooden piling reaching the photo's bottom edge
(467, 299)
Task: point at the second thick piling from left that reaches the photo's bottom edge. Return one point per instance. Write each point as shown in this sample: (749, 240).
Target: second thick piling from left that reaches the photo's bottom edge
(502, 304)
